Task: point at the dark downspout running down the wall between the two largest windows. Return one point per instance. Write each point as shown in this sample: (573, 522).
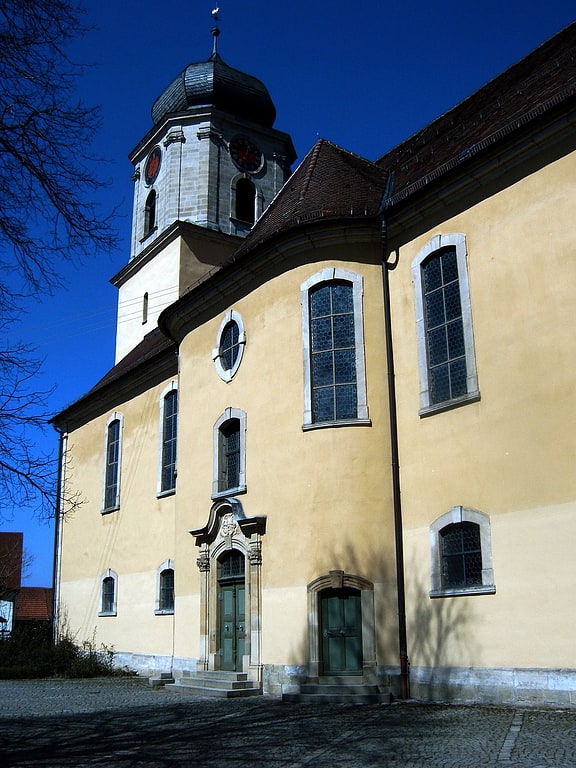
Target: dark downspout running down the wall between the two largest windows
(394, 453)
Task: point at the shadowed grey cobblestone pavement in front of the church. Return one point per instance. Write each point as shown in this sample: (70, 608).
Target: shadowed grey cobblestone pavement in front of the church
(123, 723)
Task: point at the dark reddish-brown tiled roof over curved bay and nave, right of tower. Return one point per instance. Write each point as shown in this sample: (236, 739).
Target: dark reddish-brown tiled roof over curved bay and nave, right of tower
(333, 183)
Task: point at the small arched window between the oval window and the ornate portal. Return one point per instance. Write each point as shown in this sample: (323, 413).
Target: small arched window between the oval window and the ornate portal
(229, 454)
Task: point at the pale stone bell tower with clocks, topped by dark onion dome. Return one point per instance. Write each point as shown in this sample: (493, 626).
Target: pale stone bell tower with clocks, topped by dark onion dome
(203, 174)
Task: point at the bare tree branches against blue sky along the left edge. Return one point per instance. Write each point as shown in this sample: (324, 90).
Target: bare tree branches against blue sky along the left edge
(48, 214)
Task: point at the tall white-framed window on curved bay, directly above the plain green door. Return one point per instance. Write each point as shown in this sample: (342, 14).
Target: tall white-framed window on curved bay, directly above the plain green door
(333, 348)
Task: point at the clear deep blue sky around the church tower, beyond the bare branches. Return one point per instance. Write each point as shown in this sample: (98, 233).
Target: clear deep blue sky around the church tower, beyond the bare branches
(365, 75)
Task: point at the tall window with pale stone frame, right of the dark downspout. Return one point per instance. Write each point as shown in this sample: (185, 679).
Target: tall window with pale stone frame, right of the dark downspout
(447, 363)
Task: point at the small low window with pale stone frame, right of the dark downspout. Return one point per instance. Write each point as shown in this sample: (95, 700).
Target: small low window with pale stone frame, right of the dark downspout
(461, 550)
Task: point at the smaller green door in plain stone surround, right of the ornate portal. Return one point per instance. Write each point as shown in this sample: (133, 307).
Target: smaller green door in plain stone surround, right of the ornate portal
(341, 618)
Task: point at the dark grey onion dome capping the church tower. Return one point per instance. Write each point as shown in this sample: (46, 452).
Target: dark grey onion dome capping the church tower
(214, 83)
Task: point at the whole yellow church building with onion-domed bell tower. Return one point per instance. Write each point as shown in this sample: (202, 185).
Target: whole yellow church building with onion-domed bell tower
(334, 456)
